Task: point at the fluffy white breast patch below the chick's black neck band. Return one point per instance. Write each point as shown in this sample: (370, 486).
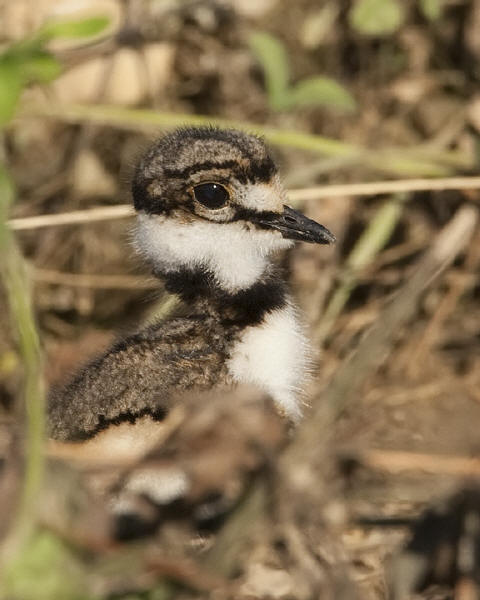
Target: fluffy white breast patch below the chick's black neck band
(274, 356)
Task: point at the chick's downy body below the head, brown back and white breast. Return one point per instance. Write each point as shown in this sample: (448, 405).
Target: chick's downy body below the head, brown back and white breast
(252, 338)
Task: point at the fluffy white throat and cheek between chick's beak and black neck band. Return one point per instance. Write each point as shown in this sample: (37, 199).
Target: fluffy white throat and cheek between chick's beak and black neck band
(236, 257)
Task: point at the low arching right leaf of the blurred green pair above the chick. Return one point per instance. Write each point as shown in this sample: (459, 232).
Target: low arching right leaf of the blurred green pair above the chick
(321, 91)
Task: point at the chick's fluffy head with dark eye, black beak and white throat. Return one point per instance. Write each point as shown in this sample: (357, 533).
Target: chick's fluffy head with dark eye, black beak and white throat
(211, 199)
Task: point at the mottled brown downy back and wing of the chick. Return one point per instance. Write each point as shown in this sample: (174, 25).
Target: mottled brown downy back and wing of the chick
(136, 377)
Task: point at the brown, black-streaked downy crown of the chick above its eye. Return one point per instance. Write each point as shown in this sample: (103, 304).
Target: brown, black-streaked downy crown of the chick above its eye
(193, 155)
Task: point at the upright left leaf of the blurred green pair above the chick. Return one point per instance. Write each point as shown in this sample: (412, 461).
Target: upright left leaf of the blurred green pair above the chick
(271, 54)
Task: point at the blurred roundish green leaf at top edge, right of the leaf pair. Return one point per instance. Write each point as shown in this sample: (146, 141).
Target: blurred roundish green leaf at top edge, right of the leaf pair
(376, 17)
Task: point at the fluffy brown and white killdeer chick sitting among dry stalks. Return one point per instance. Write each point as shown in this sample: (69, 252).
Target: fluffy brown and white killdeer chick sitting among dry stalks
(211, 214)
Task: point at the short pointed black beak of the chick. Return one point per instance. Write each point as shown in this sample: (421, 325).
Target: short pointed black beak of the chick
(295, 226)
